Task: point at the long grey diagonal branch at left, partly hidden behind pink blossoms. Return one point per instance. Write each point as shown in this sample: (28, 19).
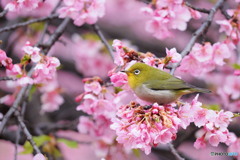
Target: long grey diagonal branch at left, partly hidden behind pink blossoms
(59, 31)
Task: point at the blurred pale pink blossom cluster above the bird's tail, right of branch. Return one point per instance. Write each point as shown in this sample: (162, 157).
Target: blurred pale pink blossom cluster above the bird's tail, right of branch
(206, 57)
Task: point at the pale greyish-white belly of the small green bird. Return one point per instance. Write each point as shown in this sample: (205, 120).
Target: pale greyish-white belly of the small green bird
(159, 96)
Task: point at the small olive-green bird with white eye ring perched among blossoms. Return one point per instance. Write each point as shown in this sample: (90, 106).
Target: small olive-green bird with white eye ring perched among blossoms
(156, 86)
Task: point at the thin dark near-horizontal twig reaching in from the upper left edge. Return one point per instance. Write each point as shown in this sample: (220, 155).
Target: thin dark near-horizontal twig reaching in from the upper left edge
(15, 26)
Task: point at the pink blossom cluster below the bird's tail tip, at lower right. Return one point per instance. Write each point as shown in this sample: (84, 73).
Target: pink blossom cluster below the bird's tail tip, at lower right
(214, 124)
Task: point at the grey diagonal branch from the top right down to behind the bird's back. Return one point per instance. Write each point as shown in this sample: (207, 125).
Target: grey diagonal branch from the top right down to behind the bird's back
(203, 28)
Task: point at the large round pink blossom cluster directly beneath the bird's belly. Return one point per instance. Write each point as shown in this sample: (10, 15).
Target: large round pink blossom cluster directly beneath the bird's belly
(142, 128)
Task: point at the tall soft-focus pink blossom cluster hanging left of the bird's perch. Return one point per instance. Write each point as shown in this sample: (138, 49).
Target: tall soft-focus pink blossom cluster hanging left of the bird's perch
(97, 102)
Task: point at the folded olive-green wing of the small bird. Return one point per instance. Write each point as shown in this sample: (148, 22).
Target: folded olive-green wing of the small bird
(168, 84)
